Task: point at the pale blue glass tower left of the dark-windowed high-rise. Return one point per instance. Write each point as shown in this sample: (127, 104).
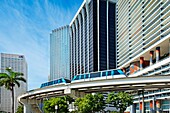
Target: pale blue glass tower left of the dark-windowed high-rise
(59, 53)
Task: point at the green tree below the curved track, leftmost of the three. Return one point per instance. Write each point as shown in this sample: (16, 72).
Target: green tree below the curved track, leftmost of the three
(61, 102)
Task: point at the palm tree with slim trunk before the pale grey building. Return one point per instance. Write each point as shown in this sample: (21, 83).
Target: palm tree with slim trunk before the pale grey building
(9, 80)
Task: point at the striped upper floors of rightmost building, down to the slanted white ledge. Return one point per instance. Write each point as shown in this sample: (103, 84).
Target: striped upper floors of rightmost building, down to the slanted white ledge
(142, 31)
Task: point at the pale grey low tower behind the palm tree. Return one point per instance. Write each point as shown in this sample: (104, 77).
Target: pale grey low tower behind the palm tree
(18, 64)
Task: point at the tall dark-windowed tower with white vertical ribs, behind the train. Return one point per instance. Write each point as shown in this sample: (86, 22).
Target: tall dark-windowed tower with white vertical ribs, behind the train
(93, 37)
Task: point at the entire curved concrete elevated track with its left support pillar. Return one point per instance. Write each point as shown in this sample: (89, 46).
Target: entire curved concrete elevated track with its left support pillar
(79, 89)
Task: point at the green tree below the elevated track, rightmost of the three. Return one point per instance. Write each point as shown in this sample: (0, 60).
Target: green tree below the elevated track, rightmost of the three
(120, 100)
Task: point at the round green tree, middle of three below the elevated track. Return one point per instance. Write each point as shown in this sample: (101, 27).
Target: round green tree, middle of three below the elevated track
(90, 103)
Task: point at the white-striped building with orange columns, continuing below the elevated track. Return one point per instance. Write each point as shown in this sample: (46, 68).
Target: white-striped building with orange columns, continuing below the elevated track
(143, 48)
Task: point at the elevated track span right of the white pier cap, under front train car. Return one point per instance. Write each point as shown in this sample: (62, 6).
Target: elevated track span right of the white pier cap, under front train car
(135, 83)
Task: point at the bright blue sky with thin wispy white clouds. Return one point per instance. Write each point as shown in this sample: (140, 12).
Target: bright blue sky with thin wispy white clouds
(25, 27)
